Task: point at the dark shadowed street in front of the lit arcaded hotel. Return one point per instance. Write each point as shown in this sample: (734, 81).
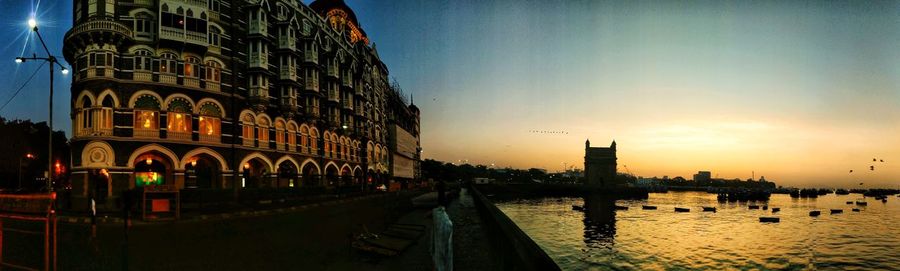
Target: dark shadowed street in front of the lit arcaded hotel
(312, 239)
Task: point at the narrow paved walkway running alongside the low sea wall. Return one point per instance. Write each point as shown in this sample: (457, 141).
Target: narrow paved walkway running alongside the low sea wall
(471, 247)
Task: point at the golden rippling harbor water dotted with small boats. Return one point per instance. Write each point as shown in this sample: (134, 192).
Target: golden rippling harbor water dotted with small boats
(730, 239)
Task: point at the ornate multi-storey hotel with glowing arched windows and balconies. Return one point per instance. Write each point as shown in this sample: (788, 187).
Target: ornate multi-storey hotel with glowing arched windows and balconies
(231, 95)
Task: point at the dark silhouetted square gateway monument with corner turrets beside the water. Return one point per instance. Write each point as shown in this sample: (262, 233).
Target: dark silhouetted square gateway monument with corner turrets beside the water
(599, 164)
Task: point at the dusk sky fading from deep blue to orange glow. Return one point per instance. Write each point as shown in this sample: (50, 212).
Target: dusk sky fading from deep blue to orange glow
(799, 92)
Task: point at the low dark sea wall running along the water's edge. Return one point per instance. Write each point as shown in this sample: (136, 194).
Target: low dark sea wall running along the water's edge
(515, 249)
